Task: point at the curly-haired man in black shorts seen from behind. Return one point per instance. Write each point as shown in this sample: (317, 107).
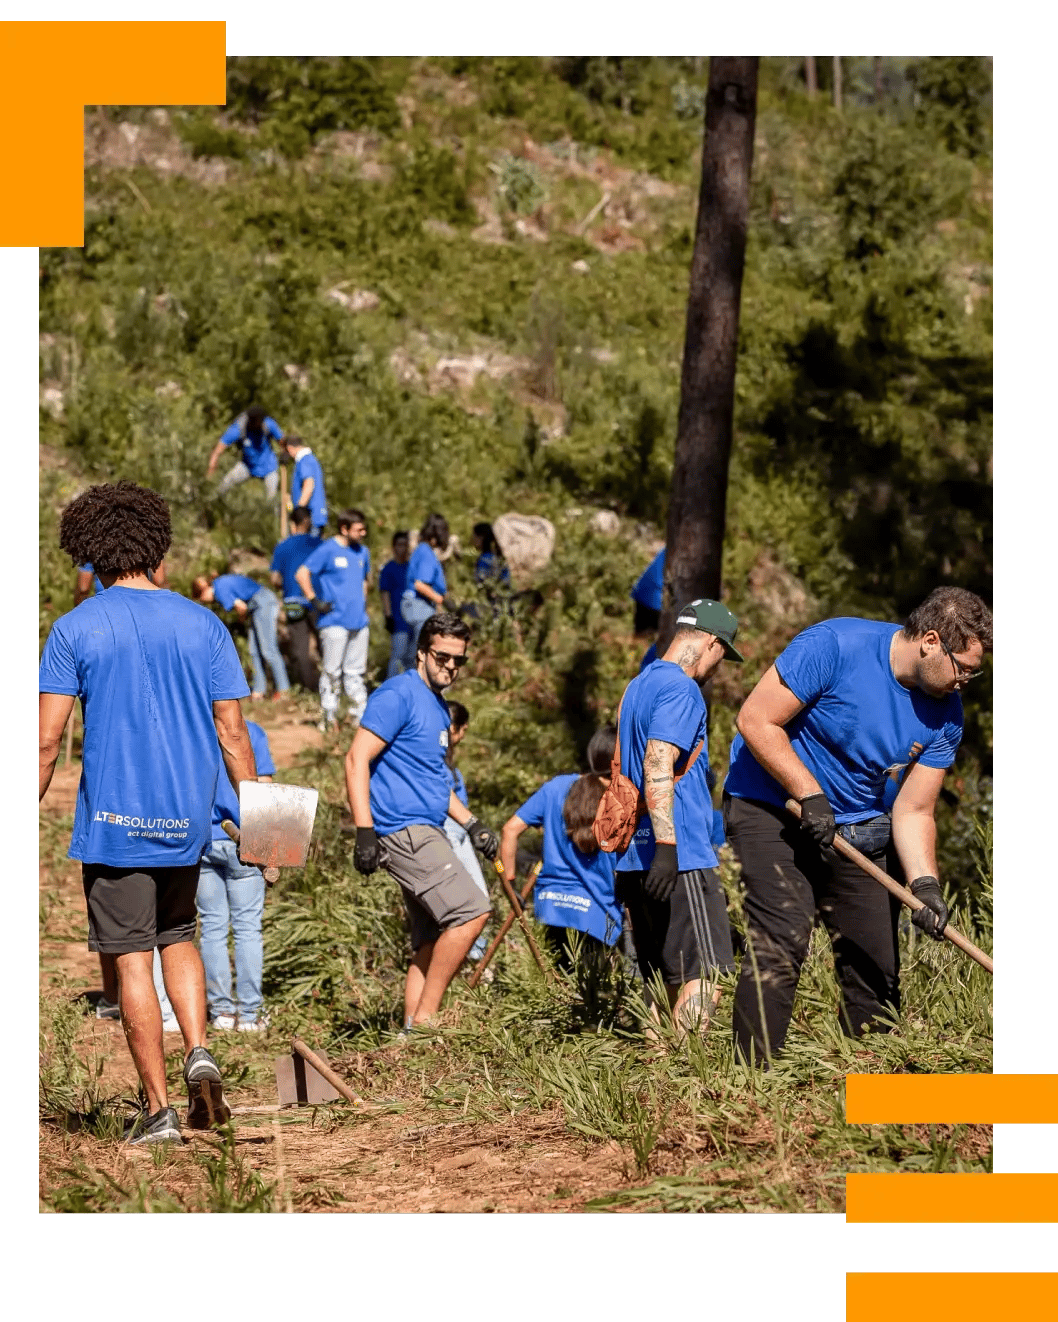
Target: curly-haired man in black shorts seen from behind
(159, 683)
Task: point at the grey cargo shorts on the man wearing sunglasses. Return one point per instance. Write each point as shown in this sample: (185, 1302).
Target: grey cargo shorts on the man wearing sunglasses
(440, 893)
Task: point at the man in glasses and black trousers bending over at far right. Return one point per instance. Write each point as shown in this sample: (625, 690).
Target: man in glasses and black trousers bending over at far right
(851, 711)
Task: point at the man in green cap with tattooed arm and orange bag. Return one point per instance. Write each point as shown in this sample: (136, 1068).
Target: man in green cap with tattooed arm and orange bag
(669, 875)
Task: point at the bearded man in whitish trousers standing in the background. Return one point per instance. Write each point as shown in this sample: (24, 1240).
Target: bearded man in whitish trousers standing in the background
(342, 568)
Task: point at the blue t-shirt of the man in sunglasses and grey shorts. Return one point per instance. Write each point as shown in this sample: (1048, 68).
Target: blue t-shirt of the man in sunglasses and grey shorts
(409, 778)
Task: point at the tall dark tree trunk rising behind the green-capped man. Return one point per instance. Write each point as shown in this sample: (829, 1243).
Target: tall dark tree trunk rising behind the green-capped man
(698, 504)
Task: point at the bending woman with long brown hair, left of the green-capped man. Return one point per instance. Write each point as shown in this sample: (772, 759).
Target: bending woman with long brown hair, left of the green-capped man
(575, 890)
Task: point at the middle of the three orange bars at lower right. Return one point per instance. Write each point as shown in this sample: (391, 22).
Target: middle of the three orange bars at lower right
(970, 1198)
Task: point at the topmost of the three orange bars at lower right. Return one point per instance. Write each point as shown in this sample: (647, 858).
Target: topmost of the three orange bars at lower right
(952, 1099)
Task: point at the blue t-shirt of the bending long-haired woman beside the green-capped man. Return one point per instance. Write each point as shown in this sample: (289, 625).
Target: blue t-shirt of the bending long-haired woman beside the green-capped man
(573, 889)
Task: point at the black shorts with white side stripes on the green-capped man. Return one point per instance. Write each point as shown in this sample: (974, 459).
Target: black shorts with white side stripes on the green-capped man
(663, 931)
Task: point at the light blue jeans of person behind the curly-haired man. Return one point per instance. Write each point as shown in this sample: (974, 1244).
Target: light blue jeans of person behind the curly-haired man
(231, 894)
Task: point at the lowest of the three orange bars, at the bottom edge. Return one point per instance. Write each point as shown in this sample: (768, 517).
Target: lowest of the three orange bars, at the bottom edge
(950, 1296)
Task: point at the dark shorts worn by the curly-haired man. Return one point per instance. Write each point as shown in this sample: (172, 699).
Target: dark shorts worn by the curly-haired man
(133, 910)
